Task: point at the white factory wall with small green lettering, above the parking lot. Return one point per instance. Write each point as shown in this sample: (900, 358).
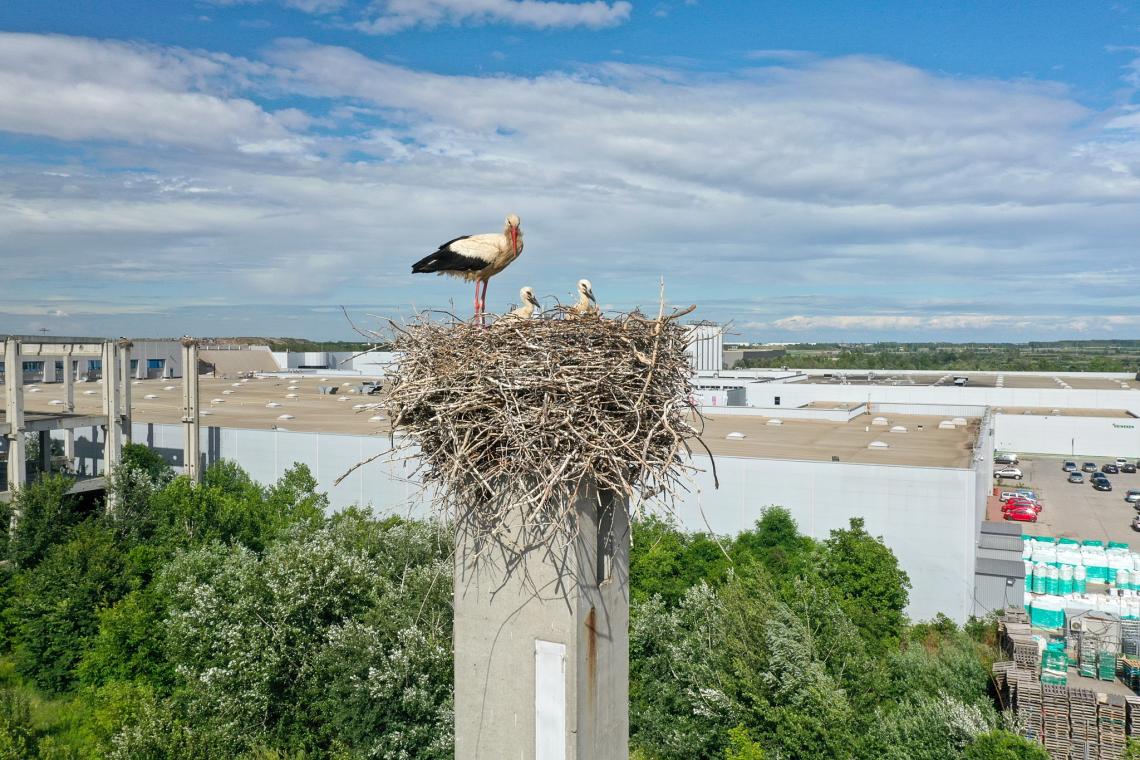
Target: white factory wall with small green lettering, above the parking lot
(1065, 436)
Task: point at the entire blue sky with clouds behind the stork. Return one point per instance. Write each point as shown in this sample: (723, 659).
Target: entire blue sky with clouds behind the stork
(809, 170)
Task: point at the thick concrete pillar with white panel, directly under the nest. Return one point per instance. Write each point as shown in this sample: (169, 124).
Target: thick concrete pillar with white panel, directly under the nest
(542, 642)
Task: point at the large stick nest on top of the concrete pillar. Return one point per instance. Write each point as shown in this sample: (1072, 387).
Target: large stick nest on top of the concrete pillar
(522, 414)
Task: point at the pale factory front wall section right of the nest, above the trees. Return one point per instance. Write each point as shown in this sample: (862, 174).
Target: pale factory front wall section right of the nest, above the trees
(935, 543)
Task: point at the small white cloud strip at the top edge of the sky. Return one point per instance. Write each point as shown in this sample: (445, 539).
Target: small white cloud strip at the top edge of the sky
(398, 15)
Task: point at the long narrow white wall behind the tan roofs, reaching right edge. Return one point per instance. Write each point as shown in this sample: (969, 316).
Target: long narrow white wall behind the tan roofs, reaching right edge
(763, 395)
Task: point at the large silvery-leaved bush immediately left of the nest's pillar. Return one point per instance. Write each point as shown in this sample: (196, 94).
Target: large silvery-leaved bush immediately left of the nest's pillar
(337, 635)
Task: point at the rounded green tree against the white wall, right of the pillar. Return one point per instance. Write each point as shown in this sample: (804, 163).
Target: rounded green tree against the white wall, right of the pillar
(873, 590)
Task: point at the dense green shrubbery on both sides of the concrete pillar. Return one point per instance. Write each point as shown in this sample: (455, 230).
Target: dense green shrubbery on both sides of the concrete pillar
(231, 620)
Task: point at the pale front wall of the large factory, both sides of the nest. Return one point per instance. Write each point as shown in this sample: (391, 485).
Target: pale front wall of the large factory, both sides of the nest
(934, 544)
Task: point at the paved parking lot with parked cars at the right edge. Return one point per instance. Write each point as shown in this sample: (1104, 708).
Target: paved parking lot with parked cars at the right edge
(1078, 511)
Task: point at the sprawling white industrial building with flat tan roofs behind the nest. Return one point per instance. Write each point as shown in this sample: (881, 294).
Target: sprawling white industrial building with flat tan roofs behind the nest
(910, 453)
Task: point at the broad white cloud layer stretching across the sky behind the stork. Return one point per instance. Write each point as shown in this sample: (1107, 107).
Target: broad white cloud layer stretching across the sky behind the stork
(861, 182)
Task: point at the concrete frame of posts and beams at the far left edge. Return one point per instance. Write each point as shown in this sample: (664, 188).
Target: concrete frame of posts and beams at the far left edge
(117, 410)
